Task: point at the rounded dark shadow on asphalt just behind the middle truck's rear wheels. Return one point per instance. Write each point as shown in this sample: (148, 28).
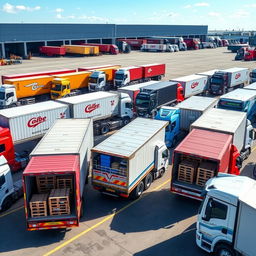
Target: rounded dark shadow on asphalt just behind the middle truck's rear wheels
(154, 212)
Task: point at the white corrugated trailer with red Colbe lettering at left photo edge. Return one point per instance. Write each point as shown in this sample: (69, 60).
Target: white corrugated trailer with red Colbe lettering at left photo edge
(32, 121)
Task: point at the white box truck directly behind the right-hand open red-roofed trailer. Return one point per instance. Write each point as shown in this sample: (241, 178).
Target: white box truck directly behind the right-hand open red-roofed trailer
(229, 122)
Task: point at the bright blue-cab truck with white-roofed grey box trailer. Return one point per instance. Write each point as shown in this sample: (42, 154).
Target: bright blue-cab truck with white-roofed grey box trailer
(182, 116)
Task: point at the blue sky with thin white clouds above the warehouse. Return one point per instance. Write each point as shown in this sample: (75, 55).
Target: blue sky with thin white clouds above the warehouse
(218, 14)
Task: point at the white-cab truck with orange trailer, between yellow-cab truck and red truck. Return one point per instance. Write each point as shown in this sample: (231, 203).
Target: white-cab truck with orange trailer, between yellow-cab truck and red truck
(103, 78)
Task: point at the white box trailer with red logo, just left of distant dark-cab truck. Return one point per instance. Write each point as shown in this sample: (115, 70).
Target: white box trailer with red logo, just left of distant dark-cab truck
(192, 84)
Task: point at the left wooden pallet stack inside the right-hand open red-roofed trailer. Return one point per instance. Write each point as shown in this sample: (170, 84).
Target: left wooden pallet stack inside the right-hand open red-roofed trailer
(187, 171)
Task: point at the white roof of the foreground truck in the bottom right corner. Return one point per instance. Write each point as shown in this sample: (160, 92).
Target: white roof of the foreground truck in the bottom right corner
(232, 188)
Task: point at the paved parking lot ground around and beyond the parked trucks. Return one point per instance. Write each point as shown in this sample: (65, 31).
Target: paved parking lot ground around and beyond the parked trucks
(158, 223)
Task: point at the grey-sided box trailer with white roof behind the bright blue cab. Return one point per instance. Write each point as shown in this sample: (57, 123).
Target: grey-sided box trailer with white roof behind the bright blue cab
(192, 108)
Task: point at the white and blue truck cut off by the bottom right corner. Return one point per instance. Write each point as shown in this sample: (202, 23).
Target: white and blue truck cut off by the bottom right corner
(226, 219)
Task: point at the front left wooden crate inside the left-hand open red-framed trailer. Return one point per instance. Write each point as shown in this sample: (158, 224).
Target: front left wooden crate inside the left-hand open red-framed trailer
(38, 205)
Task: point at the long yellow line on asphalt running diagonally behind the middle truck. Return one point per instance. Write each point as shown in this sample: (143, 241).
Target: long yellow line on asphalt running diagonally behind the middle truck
(100, 222)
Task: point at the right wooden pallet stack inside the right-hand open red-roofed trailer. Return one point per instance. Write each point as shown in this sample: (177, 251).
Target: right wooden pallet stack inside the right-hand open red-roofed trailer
(205, 172)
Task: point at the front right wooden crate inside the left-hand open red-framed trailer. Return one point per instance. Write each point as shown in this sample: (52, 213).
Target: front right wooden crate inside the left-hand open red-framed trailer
(59, 203)
